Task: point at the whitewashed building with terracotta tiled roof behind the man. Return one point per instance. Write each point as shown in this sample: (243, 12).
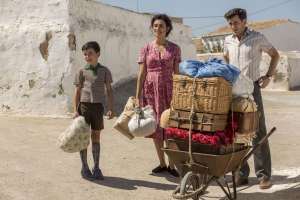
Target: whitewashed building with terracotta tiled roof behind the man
(283, 34)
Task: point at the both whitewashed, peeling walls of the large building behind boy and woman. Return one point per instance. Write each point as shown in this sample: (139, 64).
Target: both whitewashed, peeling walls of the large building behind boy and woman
(37, 85)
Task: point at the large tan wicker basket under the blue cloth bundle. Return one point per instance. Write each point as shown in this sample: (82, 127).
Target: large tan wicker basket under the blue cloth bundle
(212, 95)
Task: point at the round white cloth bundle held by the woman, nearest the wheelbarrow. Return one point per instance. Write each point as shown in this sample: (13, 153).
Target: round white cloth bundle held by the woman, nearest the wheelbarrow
(143, 123)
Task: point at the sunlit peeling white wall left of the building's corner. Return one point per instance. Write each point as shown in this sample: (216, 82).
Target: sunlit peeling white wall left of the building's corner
(28, 82)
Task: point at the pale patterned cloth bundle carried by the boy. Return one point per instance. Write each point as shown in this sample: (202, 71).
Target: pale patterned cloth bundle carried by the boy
(76, 137)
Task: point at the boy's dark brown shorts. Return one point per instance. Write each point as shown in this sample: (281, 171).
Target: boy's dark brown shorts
(93, 114)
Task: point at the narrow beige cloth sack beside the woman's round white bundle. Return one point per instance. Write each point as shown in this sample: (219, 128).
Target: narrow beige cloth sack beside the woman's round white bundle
(121, 124)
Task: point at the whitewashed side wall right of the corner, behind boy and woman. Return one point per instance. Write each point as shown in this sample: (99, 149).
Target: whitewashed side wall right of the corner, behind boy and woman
(121, 34)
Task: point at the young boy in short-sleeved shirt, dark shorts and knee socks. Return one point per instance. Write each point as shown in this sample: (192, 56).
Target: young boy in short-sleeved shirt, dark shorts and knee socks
(91, 82)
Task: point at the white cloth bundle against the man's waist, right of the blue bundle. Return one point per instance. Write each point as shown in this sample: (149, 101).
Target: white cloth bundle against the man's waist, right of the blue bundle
(243, 87)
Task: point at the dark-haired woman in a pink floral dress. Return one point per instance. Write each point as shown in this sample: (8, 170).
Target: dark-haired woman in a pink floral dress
(158, 61)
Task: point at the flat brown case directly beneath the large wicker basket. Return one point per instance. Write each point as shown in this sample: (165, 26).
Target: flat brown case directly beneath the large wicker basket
(201, 121)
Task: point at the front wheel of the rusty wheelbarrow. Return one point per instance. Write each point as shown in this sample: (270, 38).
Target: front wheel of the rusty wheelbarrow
(189, 184)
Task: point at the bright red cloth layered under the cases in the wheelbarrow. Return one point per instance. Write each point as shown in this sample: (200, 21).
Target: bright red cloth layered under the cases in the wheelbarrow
(213, 138)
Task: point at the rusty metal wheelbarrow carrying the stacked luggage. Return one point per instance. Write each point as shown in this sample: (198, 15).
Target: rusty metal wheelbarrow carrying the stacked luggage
(199, 170)
